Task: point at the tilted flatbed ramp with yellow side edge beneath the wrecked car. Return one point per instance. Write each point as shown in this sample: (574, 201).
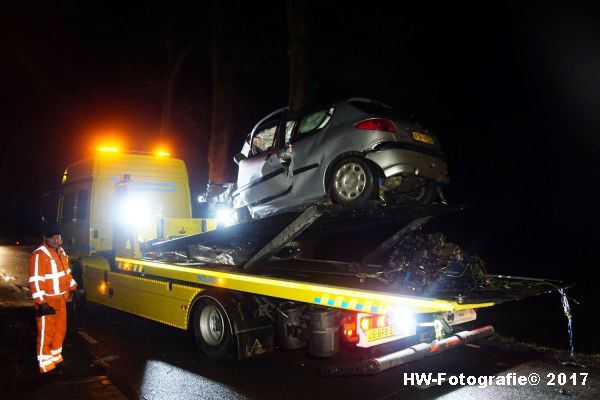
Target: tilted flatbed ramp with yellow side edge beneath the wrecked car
(360, 286)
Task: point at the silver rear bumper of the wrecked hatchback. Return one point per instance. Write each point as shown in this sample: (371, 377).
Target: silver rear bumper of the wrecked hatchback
(396, 161)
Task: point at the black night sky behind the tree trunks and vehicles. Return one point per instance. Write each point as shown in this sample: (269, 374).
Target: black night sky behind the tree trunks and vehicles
(512, 89)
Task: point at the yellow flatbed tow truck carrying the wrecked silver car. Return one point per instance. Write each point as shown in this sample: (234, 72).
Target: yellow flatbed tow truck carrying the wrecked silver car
(248, 289)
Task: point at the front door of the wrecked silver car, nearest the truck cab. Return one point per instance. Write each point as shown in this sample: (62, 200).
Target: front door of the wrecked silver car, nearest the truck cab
(264, 174)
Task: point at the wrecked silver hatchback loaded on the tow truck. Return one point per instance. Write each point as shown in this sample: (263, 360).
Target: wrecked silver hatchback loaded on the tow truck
(351, 151)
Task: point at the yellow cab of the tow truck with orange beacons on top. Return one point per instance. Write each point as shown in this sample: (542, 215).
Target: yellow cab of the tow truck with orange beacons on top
(148, 191)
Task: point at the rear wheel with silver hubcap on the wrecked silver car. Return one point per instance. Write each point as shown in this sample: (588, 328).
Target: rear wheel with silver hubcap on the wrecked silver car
(351, 182)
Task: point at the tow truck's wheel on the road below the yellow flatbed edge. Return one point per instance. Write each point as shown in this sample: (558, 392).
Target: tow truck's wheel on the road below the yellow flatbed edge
(212, 329)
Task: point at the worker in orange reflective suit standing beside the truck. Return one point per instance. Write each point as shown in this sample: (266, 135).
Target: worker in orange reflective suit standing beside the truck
(51, 283)
